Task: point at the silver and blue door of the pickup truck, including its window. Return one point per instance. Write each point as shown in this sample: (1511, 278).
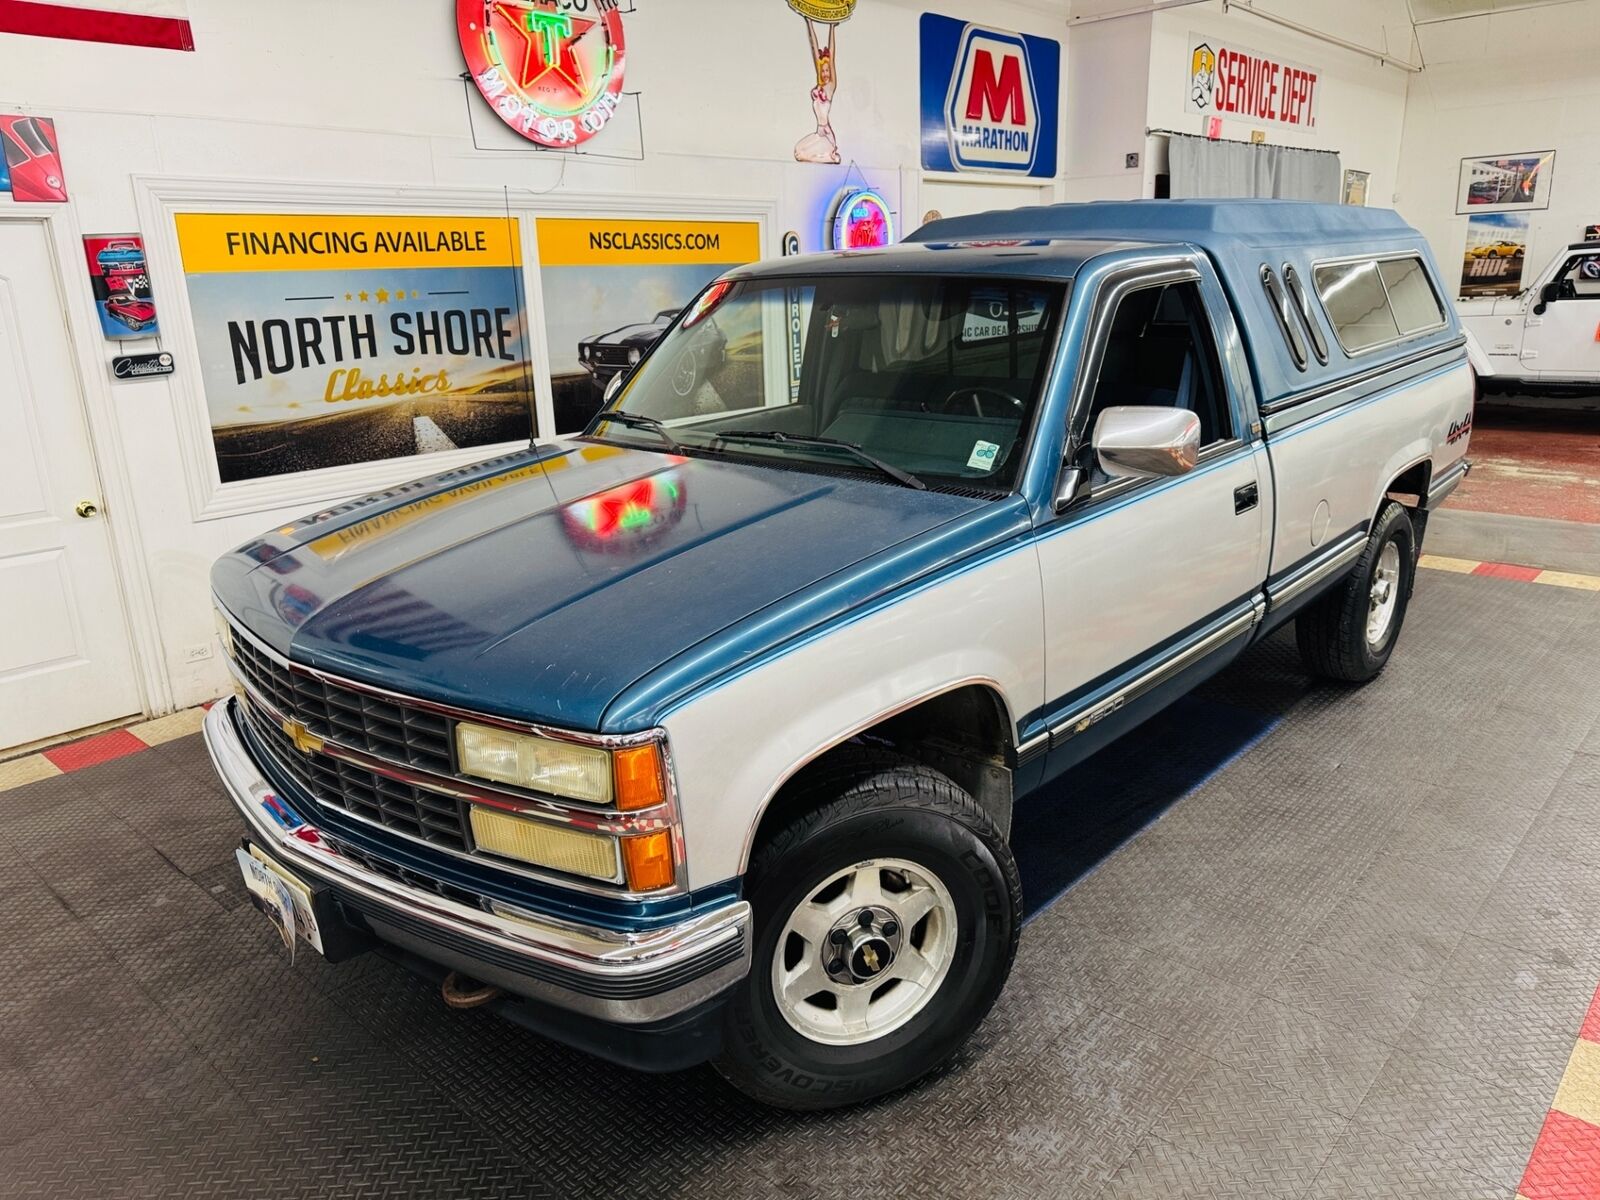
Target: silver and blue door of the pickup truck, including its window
(1151, 583)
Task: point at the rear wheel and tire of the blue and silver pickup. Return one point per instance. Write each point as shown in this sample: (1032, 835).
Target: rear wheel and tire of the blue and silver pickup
(1334, 633)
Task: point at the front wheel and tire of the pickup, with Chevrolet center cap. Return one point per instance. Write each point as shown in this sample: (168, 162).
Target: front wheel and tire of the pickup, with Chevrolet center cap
(871, 820)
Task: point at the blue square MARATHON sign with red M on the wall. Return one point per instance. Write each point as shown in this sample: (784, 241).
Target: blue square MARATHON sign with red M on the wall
(991, 98)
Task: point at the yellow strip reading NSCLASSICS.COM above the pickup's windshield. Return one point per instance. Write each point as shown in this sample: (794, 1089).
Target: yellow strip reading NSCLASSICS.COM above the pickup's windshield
(585, 242)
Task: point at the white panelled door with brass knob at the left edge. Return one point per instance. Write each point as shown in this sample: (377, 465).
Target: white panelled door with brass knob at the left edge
(65, 657)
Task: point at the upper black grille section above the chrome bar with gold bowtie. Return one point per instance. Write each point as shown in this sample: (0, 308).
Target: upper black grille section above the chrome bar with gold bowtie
(378, 727)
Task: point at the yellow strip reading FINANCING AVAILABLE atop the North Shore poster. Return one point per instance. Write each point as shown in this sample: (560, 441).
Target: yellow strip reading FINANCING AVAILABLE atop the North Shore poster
(244, 242)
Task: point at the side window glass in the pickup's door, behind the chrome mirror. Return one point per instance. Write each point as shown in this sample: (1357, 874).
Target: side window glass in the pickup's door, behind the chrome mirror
(1161, 353)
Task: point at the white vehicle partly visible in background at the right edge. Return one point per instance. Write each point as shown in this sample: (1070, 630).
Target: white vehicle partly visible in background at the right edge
(1546, 337)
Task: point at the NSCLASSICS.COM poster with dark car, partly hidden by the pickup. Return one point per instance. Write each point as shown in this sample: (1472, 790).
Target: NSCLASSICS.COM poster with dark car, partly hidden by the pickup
(612, 287)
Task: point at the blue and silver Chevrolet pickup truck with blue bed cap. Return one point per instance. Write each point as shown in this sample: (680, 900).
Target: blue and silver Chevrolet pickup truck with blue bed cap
(698, 737)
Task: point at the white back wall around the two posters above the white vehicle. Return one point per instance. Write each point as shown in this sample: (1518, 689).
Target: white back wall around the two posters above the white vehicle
(1495, 86)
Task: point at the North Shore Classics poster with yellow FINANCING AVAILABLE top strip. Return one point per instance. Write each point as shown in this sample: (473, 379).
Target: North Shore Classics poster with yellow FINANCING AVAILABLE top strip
(329, 340)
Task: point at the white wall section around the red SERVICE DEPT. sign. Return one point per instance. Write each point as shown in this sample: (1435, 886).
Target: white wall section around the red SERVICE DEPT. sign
(1361, 105)
